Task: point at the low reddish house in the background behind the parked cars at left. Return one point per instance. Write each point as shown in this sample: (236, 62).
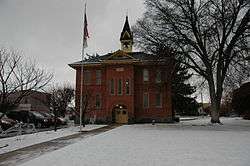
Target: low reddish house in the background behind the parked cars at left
(35, 101)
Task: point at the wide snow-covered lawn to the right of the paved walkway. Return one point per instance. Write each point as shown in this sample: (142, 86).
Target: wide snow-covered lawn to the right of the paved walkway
(180, 144)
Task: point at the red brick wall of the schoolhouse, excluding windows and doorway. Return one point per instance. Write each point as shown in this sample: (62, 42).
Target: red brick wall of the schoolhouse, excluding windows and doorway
(133, 101)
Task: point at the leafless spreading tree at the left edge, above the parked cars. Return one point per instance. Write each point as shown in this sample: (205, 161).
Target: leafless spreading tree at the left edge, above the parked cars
(17, 75)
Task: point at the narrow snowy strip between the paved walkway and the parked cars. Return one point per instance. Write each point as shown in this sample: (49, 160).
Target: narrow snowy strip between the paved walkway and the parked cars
(14, 143)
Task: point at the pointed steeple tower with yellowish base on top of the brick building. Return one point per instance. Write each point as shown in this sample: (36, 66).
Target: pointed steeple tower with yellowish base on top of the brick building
(126, 37)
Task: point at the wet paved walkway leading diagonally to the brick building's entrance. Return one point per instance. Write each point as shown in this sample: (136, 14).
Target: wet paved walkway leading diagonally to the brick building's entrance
(25, 154)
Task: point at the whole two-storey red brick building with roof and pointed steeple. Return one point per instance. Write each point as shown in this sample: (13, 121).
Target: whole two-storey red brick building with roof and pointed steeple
(125, 86)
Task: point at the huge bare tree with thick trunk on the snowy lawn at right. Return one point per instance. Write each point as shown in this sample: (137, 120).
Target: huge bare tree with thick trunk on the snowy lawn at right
(210, 34)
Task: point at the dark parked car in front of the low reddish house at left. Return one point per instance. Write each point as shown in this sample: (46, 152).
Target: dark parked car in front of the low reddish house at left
(30, 117)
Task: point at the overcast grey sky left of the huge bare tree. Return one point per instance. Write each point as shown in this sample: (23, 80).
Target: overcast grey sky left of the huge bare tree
(50, 31)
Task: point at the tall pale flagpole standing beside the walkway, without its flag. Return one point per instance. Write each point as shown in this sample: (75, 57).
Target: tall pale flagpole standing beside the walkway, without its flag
(81, 89)
